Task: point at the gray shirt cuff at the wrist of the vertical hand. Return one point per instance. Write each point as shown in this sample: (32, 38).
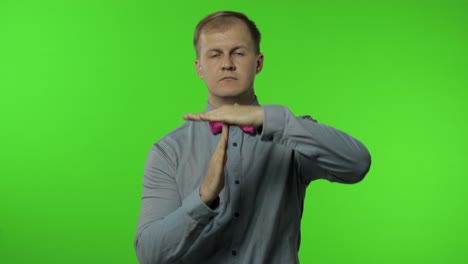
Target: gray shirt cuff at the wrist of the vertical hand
(198, 210)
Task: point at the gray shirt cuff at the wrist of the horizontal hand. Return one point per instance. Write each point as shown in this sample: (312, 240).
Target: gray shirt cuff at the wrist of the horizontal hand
(274, 120)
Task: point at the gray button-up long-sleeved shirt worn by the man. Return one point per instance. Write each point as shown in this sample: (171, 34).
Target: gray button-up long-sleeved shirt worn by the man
(258, 216)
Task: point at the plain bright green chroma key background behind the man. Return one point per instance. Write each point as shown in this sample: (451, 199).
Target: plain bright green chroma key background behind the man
(86, 87)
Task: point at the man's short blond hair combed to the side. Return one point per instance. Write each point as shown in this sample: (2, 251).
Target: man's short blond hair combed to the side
(222, 20)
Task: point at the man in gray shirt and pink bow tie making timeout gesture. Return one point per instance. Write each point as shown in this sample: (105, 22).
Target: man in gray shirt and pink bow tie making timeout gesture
(228, 185)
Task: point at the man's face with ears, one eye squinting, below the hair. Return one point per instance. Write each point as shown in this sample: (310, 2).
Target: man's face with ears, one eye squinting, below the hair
(227, 62)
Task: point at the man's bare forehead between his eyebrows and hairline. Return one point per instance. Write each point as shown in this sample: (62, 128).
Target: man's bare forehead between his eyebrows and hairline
(235, 33)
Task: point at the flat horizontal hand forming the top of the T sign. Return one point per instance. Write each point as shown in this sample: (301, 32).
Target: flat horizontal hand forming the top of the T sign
(241, 115)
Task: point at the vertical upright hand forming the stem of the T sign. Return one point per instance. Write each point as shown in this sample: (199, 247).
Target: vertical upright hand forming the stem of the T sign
(214, 179)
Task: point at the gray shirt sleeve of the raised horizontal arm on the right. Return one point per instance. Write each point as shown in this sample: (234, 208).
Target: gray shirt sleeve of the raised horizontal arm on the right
(320, 151)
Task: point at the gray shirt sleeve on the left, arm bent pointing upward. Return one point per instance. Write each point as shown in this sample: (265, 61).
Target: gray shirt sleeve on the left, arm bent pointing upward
(168, 225)
